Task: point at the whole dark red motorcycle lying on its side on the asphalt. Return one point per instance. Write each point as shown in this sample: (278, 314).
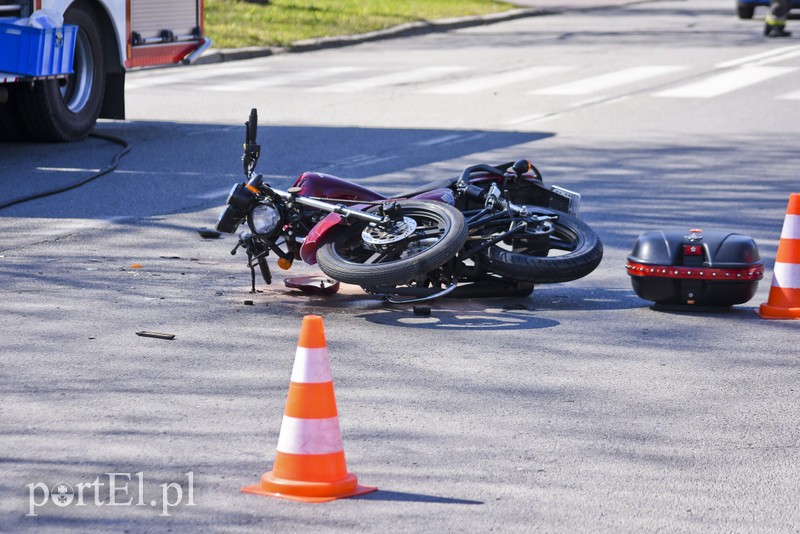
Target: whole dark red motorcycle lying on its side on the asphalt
(493, 231)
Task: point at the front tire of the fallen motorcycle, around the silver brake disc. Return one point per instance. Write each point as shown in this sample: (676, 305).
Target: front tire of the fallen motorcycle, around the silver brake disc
(349, 259)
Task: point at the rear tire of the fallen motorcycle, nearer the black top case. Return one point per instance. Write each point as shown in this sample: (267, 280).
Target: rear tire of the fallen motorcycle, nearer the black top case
(574, 250)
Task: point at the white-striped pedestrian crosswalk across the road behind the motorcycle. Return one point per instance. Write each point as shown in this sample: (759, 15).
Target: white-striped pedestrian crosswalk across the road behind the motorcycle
(725, 78)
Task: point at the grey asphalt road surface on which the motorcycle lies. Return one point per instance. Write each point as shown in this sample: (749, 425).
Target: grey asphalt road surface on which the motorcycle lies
(577, 408)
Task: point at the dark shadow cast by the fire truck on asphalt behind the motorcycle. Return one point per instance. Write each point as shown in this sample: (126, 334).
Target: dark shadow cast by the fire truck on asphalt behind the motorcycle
(175, 168)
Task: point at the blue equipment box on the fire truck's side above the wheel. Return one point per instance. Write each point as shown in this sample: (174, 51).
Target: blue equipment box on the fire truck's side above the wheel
(31, 51)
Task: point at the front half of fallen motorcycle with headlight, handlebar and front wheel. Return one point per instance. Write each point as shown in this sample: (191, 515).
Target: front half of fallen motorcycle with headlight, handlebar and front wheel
(375, 243)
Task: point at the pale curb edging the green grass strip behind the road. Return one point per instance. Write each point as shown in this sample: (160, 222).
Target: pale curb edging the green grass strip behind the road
(404, 30)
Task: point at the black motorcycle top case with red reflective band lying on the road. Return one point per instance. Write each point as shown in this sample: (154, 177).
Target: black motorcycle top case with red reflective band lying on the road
(699, 268)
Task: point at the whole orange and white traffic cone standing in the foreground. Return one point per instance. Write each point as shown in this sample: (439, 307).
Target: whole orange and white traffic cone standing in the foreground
(309, 460)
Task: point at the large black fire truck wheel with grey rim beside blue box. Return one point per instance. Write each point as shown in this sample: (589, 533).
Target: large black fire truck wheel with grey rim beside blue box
(67, 110)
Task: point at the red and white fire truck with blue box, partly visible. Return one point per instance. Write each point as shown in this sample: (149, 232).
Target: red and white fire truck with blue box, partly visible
(108, 38)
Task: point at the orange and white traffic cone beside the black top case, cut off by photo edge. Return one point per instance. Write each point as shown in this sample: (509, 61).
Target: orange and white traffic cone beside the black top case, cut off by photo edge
(784, 295)
